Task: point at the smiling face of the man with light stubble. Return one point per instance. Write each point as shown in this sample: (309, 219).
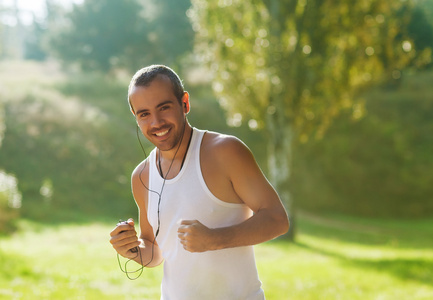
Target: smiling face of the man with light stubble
(159, 114)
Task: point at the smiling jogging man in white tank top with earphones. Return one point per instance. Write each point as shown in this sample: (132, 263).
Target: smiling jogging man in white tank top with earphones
(203, 201)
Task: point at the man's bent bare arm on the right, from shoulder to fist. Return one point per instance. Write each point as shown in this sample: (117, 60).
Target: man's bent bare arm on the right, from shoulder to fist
(269, 220)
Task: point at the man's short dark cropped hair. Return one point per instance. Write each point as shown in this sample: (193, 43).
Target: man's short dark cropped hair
(146, 75)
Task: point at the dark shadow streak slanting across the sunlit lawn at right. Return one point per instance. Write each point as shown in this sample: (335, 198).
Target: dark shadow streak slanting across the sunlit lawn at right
(417, 269)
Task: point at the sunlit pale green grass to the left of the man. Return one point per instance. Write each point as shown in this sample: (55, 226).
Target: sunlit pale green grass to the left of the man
(67, 262)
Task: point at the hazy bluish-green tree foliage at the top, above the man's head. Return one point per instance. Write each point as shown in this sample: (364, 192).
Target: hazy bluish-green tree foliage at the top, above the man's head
(105, 34)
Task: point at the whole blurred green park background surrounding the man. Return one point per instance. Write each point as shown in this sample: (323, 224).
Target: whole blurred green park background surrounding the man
(335, 99)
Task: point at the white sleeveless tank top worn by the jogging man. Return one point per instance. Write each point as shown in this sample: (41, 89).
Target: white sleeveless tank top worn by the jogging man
(226, 274)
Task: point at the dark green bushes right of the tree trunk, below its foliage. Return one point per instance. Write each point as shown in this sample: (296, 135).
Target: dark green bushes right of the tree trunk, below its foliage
(378, 166)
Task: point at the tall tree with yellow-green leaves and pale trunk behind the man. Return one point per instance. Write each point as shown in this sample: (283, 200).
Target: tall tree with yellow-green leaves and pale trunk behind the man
(291, 66)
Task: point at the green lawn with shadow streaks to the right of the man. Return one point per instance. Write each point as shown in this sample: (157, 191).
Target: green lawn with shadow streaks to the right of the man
(340, 258)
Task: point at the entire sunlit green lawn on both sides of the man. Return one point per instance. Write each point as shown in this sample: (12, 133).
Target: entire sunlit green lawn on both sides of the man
(333, 258)
